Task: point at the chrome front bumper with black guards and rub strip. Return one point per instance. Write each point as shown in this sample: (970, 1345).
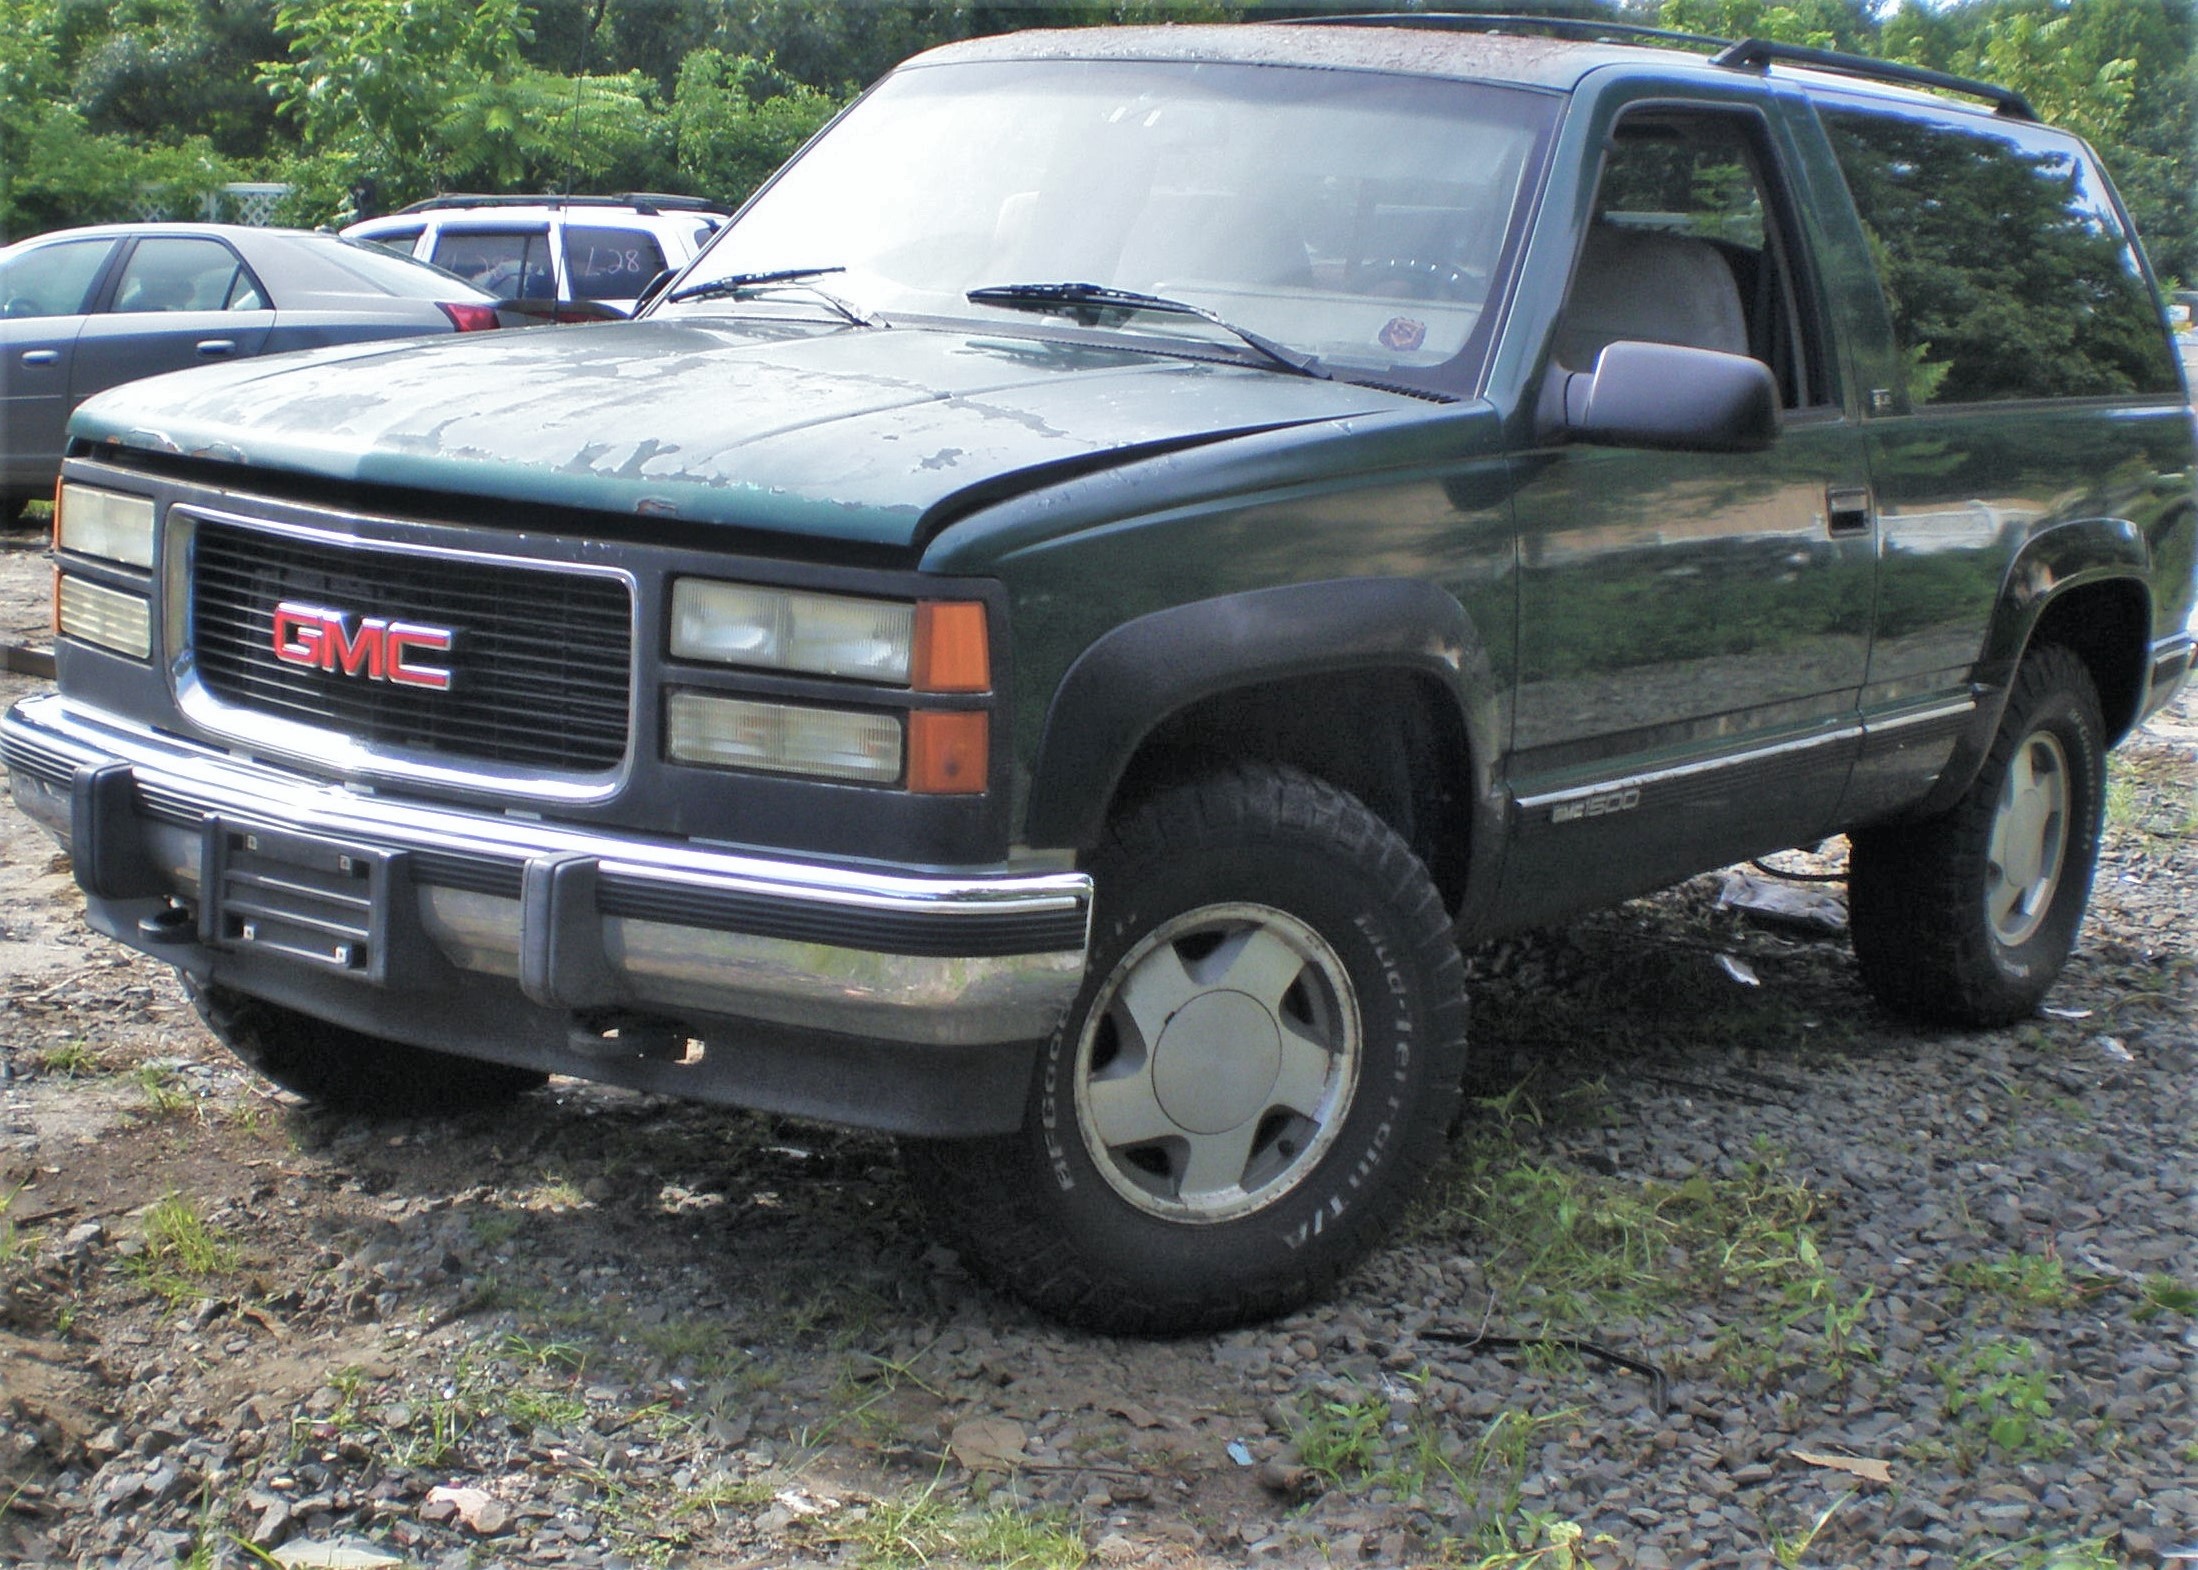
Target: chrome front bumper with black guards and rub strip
(581, 920)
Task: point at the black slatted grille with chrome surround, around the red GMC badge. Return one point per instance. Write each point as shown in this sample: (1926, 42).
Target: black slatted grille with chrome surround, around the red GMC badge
(540, 665)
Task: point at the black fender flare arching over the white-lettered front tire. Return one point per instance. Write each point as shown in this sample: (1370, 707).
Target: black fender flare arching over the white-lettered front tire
(1153, 667)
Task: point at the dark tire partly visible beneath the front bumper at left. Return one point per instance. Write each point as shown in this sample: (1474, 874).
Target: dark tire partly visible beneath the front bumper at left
(346, 1070)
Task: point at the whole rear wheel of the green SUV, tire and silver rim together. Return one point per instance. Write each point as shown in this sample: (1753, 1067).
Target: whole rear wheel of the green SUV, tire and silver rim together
(1968, 918)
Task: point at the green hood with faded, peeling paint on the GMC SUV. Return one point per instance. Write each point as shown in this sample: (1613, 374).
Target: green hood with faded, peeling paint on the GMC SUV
(828, 432)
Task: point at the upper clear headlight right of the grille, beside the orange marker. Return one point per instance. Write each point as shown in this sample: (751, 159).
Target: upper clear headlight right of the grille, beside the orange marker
(786, 630)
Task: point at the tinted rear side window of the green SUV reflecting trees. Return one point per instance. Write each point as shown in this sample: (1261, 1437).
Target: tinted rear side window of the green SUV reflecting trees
(2006, 261)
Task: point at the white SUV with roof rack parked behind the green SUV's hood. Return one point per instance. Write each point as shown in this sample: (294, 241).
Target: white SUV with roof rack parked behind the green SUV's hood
(573, 256)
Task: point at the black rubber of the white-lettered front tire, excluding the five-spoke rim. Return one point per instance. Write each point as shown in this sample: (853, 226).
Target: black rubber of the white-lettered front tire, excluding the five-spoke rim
(990, 1197)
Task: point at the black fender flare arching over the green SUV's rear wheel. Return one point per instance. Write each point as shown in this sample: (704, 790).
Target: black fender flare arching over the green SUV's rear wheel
(2052, 564)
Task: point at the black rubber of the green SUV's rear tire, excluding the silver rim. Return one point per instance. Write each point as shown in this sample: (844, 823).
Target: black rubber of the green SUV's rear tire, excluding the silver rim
(1918, 892)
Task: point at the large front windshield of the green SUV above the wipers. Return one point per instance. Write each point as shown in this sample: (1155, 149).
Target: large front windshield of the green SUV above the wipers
(1355, 219)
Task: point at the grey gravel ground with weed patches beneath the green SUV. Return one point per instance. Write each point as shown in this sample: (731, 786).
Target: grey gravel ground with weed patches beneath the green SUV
(1727, 1270)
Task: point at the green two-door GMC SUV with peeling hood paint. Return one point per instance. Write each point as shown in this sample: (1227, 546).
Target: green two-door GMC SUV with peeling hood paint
(1058, 623)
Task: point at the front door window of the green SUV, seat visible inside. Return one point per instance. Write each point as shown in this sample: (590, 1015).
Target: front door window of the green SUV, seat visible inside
(1687, 247)
